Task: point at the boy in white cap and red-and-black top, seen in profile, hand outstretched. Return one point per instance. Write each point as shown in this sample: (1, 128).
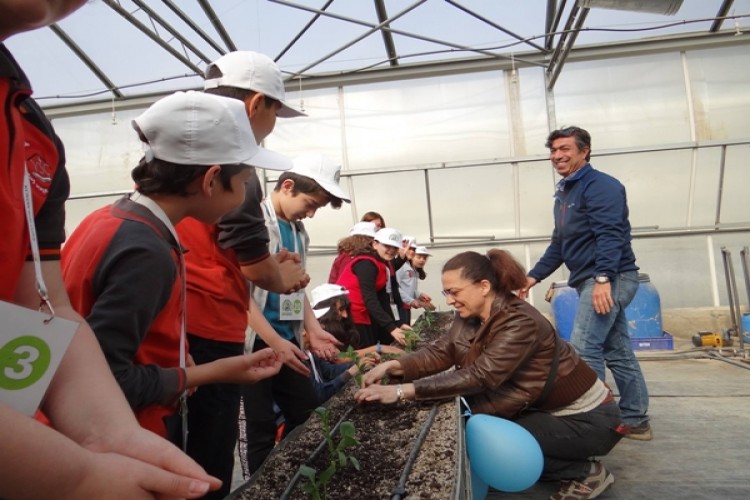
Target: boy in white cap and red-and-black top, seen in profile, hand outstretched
(123, 265)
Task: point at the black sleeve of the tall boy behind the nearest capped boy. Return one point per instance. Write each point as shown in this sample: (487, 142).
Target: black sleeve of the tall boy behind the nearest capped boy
(244, 229)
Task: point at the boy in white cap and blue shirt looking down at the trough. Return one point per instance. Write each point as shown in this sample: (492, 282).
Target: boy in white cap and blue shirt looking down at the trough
(309, 185)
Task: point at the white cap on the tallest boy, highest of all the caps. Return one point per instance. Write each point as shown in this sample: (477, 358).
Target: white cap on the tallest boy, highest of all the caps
(252, 71)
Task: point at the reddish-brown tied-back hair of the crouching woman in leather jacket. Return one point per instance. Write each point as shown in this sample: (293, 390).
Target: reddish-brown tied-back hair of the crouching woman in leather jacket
(504, 273)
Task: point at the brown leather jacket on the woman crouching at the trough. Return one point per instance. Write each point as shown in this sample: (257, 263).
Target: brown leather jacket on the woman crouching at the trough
(501, 366)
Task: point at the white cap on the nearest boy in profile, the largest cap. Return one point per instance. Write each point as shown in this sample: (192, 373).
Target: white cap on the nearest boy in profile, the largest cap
(194, 128)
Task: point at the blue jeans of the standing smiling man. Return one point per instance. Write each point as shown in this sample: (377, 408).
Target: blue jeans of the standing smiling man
(603, 340)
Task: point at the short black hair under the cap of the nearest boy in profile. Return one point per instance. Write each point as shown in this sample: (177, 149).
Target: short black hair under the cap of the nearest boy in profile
(163, 177)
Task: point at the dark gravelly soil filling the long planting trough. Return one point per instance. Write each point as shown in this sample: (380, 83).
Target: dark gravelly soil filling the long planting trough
(387, 434)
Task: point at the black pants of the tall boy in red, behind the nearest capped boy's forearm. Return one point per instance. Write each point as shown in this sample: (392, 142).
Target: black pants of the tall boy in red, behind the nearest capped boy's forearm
(213, 413)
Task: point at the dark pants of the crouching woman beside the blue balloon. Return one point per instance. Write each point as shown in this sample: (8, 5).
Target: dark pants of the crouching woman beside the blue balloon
(568, 442)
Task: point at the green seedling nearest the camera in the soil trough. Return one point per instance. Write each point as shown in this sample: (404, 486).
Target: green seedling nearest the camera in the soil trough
(317, 484)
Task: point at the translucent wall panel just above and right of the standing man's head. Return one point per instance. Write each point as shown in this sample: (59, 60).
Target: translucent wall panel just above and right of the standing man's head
(635, 101)
